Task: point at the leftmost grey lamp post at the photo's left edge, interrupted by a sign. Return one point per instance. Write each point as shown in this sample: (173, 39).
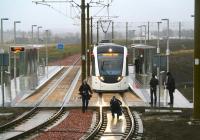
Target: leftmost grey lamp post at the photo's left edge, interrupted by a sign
(2, 82)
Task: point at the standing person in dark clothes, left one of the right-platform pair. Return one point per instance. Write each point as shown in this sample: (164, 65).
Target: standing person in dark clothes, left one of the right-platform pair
(153, 88)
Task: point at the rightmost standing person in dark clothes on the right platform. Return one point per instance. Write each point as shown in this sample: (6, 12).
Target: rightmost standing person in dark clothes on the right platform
(170, 85)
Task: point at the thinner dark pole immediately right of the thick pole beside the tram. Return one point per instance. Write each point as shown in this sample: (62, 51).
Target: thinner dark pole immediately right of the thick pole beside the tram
(88, 40)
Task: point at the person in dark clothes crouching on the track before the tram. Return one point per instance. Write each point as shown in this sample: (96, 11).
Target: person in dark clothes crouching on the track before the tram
(115, 105)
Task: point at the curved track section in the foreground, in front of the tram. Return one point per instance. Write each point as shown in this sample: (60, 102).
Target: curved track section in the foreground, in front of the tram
(133, 130)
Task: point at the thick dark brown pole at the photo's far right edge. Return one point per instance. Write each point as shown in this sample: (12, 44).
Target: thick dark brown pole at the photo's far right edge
(196, 75)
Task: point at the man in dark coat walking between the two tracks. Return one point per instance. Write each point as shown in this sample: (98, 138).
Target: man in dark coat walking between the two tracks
(84, 91)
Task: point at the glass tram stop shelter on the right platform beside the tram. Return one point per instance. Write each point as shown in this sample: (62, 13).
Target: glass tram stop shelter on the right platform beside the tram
(143, 56)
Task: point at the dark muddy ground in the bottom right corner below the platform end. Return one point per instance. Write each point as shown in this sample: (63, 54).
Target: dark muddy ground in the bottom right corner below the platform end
(169, 127)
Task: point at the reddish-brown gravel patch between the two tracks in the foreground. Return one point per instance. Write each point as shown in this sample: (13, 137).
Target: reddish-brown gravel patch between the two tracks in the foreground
(72, 128)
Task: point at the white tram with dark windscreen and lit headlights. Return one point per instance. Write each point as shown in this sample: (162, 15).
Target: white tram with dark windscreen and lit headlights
(109, 68)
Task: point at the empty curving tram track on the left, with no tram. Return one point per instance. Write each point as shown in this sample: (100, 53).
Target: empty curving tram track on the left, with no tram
(36, 119)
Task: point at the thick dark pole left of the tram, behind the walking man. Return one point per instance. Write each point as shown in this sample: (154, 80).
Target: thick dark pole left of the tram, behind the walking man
(83, 57)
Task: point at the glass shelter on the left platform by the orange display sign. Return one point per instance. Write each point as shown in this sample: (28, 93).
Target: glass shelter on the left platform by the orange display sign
(25, 67)
